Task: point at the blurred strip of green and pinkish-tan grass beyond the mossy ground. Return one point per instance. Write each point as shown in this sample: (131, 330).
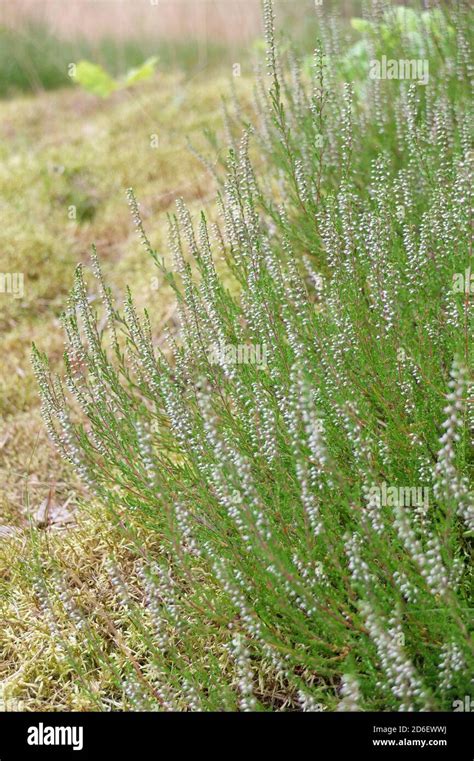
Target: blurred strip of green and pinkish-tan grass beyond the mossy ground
(40, 38)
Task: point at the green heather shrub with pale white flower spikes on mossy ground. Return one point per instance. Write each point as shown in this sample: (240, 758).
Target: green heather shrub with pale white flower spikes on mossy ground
(291, 471)
